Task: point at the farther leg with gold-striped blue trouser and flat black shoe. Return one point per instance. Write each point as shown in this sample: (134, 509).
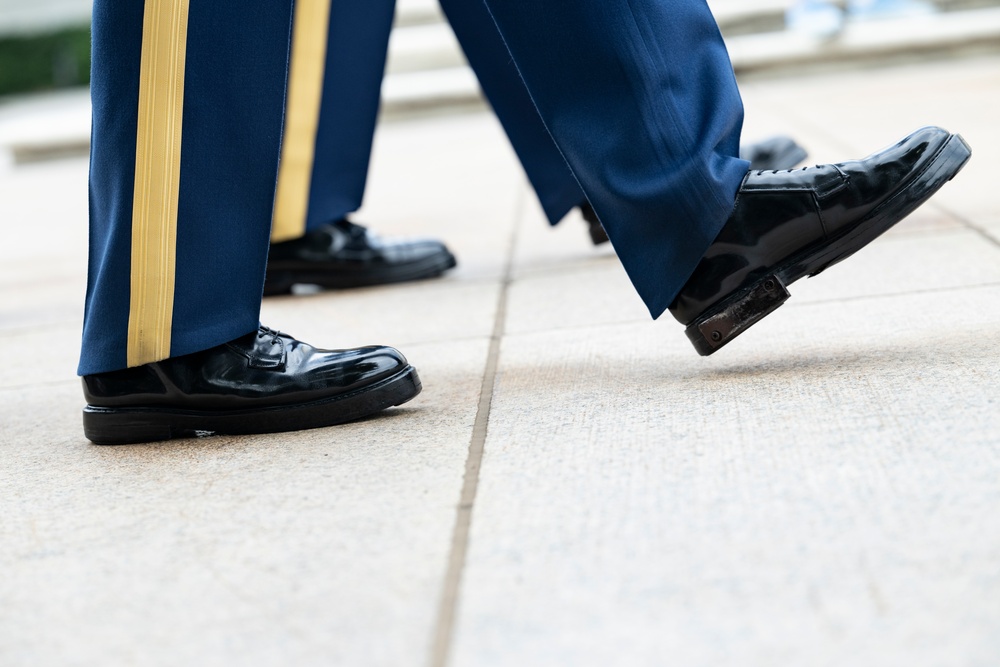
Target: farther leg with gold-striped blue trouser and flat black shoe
(338, 57)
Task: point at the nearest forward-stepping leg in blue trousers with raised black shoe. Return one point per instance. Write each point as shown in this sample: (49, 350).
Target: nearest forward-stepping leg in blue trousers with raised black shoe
(640, 97)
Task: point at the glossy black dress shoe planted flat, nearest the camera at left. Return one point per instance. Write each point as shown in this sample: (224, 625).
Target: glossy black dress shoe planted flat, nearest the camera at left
(263, 382)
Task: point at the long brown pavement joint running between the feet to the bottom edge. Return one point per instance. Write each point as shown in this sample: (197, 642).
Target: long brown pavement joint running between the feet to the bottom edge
(451, 590)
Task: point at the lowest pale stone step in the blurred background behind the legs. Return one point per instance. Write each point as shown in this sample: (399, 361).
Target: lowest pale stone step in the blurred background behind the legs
(427, 77)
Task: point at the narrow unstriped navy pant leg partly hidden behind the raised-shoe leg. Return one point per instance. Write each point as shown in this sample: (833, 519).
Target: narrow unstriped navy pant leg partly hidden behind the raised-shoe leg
(553, 182)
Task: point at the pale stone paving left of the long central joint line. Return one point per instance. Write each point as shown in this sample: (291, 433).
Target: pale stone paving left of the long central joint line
(314, 548)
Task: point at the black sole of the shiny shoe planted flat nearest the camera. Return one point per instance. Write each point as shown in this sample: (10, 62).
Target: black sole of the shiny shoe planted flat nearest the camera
(134, 425)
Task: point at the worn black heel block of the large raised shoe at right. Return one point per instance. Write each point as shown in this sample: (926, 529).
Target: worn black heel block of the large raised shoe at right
(735, 316)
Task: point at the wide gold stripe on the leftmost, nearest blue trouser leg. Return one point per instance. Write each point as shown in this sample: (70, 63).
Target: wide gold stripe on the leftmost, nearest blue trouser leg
(157, 180)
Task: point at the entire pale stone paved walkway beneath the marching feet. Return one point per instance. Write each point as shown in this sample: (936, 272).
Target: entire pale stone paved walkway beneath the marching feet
(574, 486)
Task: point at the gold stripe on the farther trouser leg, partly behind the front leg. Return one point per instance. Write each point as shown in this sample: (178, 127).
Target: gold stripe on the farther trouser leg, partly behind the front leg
(305, 91)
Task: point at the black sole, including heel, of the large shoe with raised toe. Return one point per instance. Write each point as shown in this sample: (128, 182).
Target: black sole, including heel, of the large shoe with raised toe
(726, 320)
